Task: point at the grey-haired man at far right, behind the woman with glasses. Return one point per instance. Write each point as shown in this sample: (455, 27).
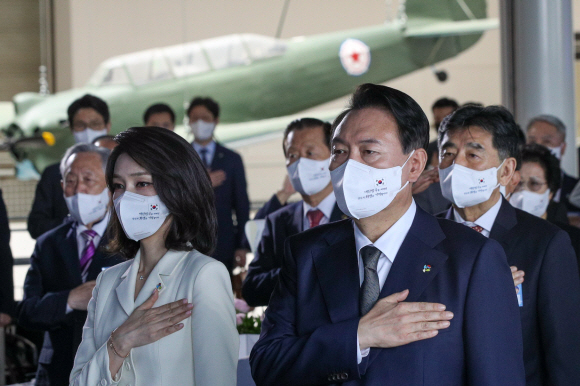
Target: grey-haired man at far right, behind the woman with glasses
(550, 131)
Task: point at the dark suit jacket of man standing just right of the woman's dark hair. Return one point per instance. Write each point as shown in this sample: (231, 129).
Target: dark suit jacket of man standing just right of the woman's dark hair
(231, 197)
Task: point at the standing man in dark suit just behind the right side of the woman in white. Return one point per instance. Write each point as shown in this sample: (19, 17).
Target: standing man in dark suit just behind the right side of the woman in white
(228, 179)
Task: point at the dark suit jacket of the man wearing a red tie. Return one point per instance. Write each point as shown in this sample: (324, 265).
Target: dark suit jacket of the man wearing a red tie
(263, 270)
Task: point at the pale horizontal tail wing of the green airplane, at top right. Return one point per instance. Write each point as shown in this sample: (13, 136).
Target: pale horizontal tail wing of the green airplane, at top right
(452, 28)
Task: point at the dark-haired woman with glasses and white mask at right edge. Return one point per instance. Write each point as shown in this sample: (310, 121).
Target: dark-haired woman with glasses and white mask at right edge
(540, 178)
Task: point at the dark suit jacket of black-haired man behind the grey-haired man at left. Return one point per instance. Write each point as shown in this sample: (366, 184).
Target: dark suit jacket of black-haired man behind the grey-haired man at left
(49, 208)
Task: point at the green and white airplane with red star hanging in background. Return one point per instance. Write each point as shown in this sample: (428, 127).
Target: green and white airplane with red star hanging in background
(258, 80)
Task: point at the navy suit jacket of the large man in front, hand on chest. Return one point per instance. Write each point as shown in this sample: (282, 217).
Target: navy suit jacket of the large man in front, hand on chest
(309, 334)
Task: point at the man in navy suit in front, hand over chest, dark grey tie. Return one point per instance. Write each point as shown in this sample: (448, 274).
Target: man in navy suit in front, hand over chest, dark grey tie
(361, 301)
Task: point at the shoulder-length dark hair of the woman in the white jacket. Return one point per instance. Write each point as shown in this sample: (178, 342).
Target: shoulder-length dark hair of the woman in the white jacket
(180, 180)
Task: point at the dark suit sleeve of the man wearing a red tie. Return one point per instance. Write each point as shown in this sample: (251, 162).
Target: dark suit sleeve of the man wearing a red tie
(262, 273)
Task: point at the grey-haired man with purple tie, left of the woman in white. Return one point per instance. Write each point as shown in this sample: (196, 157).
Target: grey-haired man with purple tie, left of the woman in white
(65, 264)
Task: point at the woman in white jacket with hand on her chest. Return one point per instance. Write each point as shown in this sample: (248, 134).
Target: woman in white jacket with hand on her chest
(166, 316)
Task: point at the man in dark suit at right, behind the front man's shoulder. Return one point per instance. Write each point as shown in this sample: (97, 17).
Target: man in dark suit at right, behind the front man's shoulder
(478, 144)
